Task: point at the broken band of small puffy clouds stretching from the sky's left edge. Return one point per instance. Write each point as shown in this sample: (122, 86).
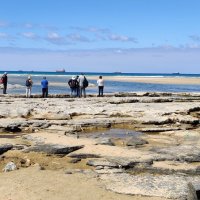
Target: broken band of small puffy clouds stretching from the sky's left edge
(89, 34)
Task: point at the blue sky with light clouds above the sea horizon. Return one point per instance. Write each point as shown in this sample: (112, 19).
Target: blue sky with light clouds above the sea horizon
(100, 35)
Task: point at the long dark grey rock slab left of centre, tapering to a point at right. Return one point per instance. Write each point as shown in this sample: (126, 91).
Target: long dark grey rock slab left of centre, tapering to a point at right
(54, 149)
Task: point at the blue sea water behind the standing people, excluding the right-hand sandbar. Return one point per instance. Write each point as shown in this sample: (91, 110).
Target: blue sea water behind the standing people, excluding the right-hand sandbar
(58, 82)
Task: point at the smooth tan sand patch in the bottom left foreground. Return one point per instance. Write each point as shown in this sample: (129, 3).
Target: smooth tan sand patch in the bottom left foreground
(34, 184)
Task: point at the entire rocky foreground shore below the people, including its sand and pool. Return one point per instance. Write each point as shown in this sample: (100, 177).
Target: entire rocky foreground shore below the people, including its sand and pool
(125, 145)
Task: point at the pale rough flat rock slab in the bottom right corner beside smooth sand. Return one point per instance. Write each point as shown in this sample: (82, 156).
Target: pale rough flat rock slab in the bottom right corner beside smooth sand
(167, 186)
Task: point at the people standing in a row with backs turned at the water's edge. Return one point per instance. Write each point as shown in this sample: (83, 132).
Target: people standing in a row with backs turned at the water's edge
(77, 84)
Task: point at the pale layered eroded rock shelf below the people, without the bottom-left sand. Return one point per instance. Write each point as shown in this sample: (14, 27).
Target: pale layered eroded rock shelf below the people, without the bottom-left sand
(158, 162)
